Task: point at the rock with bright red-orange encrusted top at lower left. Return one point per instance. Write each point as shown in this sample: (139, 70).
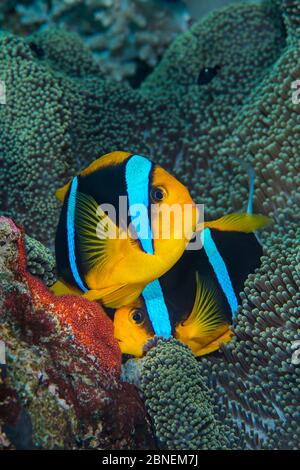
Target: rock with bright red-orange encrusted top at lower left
(62, 388)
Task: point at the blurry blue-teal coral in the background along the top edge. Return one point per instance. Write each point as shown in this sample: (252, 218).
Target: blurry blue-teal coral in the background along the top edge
(126, 38)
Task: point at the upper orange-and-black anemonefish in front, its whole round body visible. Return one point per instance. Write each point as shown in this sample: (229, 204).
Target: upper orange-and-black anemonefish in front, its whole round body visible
(112, 260)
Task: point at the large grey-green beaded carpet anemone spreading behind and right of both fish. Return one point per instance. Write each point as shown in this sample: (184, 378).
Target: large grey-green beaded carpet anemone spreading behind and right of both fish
(224, 93)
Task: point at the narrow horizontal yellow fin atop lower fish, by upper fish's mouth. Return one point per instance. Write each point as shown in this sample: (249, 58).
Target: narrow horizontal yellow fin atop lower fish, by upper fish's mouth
(239, 222)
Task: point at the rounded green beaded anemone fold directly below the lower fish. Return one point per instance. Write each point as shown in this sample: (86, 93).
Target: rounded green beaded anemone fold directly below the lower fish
(178, 400)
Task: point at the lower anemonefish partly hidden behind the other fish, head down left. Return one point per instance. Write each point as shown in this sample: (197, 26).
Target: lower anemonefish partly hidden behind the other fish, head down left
(196, 301)
